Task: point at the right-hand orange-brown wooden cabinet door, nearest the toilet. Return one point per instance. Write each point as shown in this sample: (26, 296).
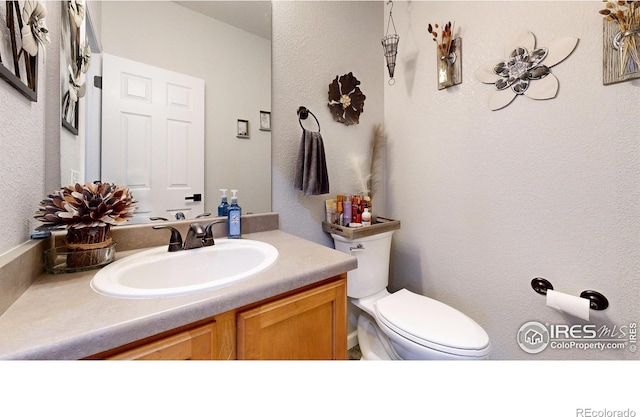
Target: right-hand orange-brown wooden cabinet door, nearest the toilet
(308, 325)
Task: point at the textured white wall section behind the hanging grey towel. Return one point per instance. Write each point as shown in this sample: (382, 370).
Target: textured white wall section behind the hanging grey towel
(312, 43)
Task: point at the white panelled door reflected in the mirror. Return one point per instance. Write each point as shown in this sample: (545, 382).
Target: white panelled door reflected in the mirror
(153, 136)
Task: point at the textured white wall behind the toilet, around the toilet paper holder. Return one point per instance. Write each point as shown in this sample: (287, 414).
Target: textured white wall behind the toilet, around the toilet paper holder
(490, 200)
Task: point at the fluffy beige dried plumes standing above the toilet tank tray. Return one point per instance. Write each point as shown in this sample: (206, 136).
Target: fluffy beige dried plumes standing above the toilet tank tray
(367, 172)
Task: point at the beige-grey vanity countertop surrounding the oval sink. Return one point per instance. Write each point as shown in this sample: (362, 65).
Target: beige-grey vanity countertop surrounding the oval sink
(61, 317)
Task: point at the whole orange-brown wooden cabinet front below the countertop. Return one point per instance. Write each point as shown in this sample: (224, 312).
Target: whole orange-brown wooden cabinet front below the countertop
(310, 323)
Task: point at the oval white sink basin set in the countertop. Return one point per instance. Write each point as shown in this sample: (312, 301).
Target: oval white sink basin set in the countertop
(158, 273)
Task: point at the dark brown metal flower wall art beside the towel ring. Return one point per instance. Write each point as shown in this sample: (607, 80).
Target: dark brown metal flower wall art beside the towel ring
(346, 101)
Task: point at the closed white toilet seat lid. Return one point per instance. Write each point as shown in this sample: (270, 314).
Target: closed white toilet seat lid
(430, 322)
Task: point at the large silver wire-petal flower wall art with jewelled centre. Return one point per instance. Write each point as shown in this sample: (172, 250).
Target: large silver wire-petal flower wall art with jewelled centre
(526, 71)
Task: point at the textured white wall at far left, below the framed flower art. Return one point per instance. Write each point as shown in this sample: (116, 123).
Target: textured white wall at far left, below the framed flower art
(24, 125)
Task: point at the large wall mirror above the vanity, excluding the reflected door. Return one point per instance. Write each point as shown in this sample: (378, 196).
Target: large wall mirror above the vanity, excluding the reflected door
(227, 44)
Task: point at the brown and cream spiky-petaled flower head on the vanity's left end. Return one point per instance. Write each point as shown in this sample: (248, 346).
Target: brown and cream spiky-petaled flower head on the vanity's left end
(90, 205)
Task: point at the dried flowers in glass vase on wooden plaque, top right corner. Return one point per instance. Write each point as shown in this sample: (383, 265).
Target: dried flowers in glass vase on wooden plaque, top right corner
(627, 15)
